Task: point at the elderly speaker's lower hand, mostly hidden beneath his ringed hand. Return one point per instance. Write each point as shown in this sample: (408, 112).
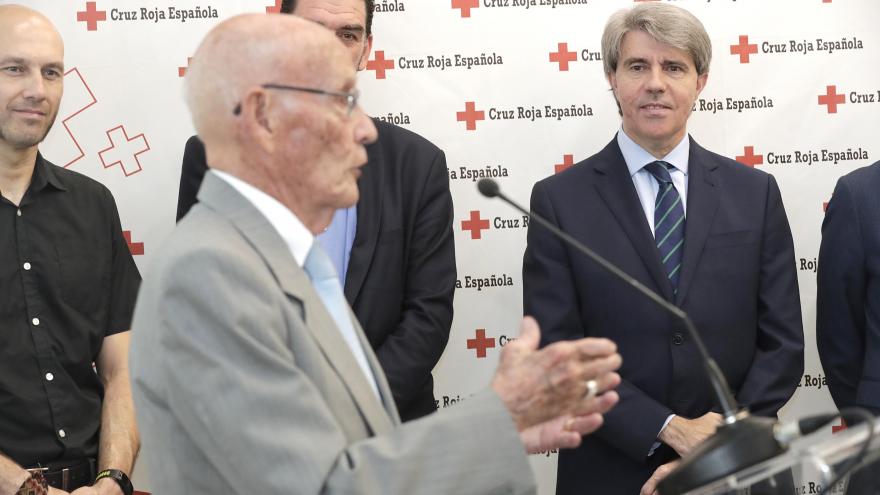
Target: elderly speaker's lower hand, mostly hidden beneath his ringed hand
(565, 432)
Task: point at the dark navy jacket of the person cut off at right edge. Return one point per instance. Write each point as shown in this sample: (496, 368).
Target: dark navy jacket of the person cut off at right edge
(848, 299)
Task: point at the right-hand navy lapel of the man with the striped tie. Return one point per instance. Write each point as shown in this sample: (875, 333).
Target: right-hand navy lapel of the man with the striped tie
(702, 202)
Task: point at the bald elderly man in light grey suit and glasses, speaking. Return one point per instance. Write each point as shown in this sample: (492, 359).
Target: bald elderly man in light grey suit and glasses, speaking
(250, 373)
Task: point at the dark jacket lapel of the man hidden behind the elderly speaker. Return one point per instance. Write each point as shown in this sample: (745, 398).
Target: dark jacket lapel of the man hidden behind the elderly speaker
(369, 214)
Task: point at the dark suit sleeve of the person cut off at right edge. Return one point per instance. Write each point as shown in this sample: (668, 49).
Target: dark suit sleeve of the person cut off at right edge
(840, 311)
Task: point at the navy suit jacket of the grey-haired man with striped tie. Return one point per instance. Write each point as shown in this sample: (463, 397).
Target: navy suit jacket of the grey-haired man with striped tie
(738, 283)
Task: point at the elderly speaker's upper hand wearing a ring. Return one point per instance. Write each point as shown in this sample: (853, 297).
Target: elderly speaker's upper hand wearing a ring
(539, 385)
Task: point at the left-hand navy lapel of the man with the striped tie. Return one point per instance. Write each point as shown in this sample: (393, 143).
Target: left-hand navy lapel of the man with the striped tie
(616, 188)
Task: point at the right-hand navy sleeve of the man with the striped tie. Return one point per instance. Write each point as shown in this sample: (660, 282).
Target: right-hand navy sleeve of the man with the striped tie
(778, 363)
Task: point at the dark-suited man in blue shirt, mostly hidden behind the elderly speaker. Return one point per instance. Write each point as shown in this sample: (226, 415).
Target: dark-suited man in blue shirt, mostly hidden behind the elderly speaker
(394, 250)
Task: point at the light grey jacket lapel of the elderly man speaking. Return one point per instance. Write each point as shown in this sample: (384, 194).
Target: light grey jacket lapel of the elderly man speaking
(223, 198)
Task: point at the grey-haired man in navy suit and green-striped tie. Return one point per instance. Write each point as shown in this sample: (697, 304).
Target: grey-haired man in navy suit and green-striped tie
(707, 233)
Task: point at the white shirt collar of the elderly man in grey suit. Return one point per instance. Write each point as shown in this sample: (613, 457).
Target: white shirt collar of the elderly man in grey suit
(295, 234)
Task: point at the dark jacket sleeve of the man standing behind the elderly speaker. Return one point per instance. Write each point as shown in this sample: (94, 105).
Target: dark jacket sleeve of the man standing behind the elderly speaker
(412, 349)
